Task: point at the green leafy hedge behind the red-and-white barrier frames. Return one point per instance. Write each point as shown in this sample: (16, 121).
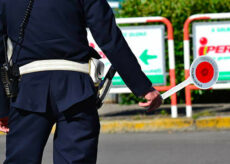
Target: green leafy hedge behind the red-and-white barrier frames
(177, 11)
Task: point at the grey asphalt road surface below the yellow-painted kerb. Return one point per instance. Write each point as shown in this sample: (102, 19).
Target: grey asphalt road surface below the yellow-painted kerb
(194, 147)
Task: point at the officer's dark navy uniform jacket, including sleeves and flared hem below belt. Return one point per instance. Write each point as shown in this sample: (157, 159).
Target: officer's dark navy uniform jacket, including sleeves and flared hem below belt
(57, 30)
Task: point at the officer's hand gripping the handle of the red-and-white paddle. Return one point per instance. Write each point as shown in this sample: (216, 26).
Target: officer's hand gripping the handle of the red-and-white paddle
(154, 100)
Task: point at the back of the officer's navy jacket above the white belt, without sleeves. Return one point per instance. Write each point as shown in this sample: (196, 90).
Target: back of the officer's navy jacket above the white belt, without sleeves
(56, 30)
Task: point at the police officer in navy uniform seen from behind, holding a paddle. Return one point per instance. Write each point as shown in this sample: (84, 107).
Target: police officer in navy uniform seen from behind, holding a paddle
(57, 30)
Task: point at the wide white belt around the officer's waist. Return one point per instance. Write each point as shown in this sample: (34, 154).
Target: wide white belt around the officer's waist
(54, 65)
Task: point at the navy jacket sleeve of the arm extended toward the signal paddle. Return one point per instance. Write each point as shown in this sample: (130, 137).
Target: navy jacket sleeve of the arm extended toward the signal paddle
(101, 22)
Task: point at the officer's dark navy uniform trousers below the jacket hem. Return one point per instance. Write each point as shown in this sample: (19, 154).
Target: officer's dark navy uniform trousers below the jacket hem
(75, 140)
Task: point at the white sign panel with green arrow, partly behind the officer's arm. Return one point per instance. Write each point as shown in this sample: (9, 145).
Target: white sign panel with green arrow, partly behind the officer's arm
(147, 43)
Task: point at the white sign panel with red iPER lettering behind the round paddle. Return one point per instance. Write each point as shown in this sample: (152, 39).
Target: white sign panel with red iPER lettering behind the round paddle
(212, 39)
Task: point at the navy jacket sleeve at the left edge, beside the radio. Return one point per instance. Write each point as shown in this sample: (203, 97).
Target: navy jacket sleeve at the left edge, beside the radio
(4, 102)
